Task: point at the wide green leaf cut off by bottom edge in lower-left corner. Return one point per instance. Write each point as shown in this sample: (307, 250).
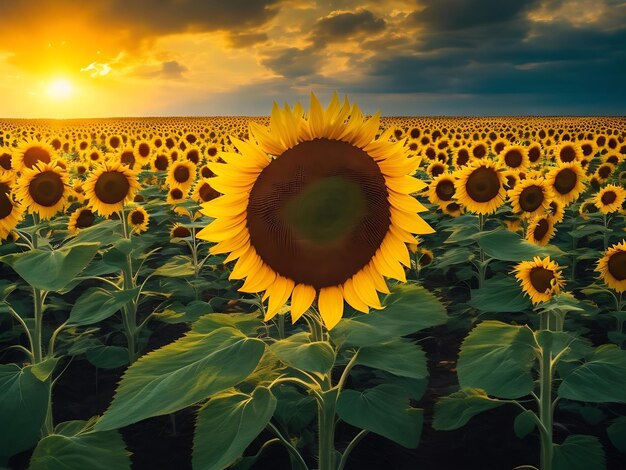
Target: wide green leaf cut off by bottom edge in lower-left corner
(68, 450)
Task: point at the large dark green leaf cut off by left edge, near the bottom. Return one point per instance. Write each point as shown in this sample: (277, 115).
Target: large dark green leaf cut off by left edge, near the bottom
(23, 406)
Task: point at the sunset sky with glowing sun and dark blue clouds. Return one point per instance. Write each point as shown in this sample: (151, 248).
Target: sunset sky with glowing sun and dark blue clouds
(72, 58)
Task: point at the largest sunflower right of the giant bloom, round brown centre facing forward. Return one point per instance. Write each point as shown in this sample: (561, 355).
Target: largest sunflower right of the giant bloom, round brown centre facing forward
(480, 187)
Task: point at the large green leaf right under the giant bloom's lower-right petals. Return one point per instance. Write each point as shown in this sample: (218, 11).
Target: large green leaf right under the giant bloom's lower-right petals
(407, 309)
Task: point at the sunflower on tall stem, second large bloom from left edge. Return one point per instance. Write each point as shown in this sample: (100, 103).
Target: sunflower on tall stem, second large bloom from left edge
(110, 186)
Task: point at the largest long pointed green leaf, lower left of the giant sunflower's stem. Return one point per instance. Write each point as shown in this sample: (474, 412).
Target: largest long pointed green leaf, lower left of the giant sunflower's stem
(181, 374)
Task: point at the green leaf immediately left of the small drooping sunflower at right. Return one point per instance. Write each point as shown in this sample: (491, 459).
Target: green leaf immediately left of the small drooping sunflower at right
(500, 294)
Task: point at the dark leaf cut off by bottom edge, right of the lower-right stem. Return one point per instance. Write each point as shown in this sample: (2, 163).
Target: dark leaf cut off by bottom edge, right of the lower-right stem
(579, 452)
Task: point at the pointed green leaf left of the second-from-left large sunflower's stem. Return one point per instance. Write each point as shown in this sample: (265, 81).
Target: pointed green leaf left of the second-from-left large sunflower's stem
(97, 304)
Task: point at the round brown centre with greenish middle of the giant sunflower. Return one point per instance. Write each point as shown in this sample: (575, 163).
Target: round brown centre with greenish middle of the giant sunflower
(318, 213)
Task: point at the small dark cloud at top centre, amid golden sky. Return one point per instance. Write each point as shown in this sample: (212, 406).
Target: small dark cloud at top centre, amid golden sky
(341, 26)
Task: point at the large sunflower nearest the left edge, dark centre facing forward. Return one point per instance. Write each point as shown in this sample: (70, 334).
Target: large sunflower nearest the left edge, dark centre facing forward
(43, 189)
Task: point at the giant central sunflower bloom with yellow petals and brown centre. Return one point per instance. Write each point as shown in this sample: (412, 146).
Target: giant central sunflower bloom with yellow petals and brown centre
(316, 208)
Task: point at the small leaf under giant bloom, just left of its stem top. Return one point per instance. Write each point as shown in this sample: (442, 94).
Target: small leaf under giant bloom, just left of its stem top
(299, 352)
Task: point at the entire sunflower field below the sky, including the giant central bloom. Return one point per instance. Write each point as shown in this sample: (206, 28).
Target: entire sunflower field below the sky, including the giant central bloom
(317, 289)
